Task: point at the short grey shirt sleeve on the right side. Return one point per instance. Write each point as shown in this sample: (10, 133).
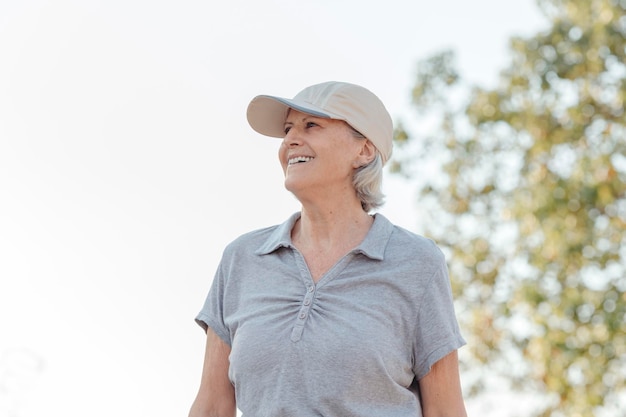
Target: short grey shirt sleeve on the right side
(437, 332)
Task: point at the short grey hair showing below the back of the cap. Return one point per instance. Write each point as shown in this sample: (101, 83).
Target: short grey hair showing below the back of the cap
(368, 180)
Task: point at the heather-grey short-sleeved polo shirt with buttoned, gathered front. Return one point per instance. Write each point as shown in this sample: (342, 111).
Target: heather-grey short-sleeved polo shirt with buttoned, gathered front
(348, 346)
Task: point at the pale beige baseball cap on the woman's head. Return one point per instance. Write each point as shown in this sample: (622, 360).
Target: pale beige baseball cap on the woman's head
(355, 105)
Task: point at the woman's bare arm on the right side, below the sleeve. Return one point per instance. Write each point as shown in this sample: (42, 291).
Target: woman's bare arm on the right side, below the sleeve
(440, 389)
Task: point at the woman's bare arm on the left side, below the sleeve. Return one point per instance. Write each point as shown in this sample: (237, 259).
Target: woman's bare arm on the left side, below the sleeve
(216, 396)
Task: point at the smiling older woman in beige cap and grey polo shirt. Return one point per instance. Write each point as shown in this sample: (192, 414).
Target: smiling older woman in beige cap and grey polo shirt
(336, 312)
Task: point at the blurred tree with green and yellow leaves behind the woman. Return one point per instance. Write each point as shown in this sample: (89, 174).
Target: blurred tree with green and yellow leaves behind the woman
(524, 186)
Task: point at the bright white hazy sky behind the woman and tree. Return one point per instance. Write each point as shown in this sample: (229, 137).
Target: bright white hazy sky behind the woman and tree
(126, 165)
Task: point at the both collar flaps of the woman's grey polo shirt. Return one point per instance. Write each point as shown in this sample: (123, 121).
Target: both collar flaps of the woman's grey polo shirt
(373, 246)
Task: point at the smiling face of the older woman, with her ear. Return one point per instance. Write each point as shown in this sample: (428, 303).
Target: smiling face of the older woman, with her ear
(320, 155)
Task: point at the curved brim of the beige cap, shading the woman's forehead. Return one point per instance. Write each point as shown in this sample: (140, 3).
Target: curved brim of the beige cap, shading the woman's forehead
(267, 114)
